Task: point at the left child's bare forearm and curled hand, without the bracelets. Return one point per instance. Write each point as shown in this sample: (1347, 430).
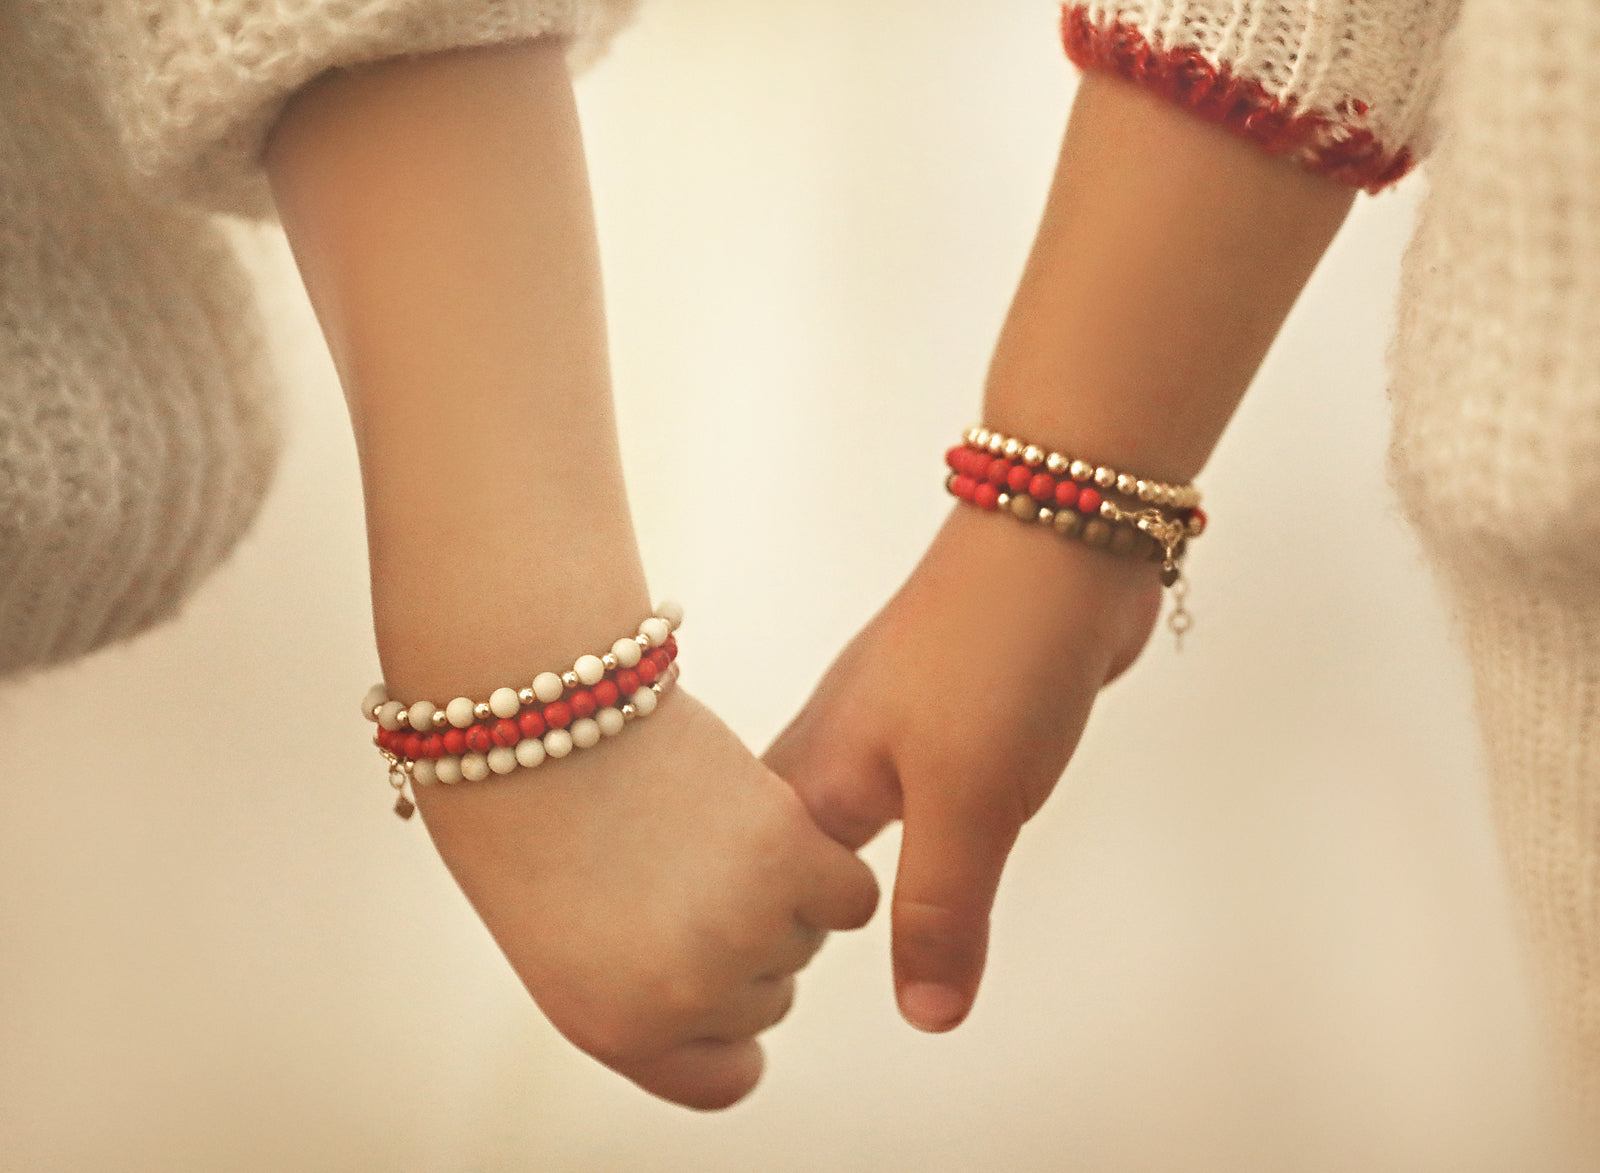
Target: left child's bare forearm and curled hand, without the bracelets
(658, 892)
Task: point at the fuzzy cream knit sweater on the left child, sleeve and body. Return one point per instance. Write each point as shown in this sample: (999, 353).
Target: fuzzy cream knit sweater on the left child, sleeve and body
(138, 423)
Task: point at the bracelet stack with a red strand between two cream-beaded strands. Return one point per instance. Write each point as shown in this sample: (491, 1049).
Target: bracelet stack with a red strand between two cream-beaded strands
(522, 727)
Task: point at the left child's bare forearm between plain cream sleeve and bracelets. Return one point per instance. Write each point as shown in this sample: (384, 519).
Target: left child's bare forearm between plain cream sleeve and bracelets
(439, 212)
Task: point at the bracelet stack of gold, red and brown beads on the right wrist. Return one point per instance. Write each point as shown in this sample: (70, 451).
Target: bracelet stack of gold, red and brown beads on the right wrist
(1090, 503)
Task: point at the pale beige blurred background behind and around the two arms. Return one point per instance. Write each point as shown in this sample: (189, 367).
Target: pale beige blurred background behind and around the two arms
(1260, 927)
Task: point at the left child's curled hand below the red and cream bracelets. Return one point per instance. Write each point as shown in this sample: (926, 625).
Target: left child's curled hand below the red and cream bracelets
(657, 895)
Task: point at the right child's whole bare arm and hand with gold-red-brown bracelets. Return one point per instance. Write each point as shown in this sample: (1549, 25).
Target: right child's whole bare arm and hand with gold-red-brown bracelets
(1167, 260)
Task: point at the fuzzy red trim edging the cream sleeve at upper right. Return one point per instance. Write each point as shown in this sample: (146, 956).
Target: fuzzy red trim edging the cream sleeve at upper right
(1330, 143)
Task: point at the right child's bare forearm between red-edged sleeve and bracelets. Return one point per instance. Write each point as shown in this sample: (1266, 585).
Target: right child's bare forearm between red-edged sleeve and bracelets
(1167, 260)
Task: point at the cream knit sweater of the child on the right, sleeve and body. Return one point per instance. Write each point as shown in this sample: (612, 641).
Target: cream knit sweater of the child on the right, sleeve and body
(1495, 377)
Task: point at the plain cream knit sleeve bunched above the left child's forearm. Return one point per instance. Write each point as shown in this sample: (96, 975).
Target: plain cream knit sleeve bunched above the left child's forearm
(191, 87)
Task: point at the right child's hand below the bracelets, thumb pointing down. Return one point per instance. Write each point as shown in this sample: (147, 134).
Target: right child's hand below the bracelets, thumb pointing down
(956, 710)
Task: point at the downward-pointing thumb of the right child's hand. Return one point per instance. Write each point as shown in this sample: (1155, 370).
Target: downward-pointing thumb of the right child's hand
(953, 852)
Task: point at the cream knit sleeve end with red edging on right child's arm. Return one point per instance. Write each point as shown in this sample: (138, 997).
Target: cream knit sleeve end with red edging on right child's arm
(1343, 87)
